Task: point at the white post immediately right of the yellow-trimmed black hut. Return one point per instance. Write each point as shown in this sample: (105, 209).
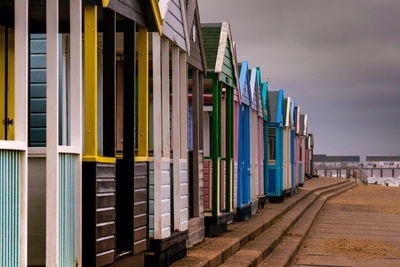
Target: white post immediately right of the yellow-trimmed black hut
(157, 129)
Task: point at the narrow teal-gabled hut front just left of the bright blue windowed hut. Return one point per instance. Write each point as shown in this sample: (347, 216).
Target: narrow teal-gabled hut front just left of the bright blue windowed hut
(266, 118)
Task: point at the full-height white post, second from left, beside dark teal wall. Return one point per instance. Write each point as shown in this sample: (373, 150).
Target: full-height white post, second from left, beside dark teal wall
(52, 181)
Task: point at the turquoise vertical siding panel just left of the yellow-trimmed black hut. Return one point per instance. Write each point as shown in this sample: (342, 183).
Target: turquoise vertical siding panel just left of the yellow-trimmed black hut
(67, 176)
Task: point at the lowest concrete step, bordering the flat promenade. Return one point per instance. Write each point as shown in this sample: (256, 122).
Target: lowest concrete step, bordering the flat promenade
(286, 251)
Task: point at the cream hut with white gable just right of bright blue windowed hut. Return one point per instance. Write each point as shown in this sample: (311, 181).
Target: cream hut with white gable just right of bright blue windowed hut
(288, 186)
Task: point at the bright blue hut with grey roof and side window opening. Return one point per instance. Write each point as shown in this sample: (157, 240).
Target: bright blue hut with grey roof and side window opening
(275, 182)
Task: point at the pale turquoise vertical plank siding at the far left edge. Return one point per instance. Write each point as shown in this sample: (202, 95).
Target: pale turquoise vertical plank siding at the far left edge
(9, 208)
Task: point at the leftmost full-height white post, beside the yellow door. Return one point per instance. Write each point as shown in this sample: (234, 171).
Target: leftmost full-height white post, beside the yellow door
(21, 117)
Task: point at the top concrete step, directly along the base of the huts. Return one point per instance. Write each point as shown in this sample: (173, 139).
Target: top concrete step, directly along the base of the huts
(215, 250)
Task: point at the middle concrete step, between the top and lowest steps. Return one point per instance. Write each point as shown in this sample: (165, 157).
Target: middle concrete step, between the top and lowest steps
(257, 250)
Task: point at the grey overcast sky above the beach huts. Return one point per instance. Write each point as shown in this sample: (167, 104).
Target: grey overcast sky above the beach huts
(338, 59)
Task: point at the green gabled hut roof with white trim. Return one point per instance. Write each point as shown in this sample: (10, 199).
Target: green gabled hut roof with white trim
(218, 45)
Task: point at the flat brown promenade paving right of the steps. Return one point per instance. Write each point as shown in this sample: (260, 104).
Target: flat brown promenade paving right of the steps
(358, 228)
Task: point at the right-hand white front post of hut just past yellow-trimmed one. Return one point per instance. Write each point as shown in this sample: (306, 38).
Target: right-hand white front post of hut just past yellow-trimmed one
(176, 135)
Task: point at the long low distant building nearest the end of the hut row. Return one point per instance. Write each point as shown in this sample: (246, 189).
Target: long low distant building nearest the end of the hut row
(322, 160)
